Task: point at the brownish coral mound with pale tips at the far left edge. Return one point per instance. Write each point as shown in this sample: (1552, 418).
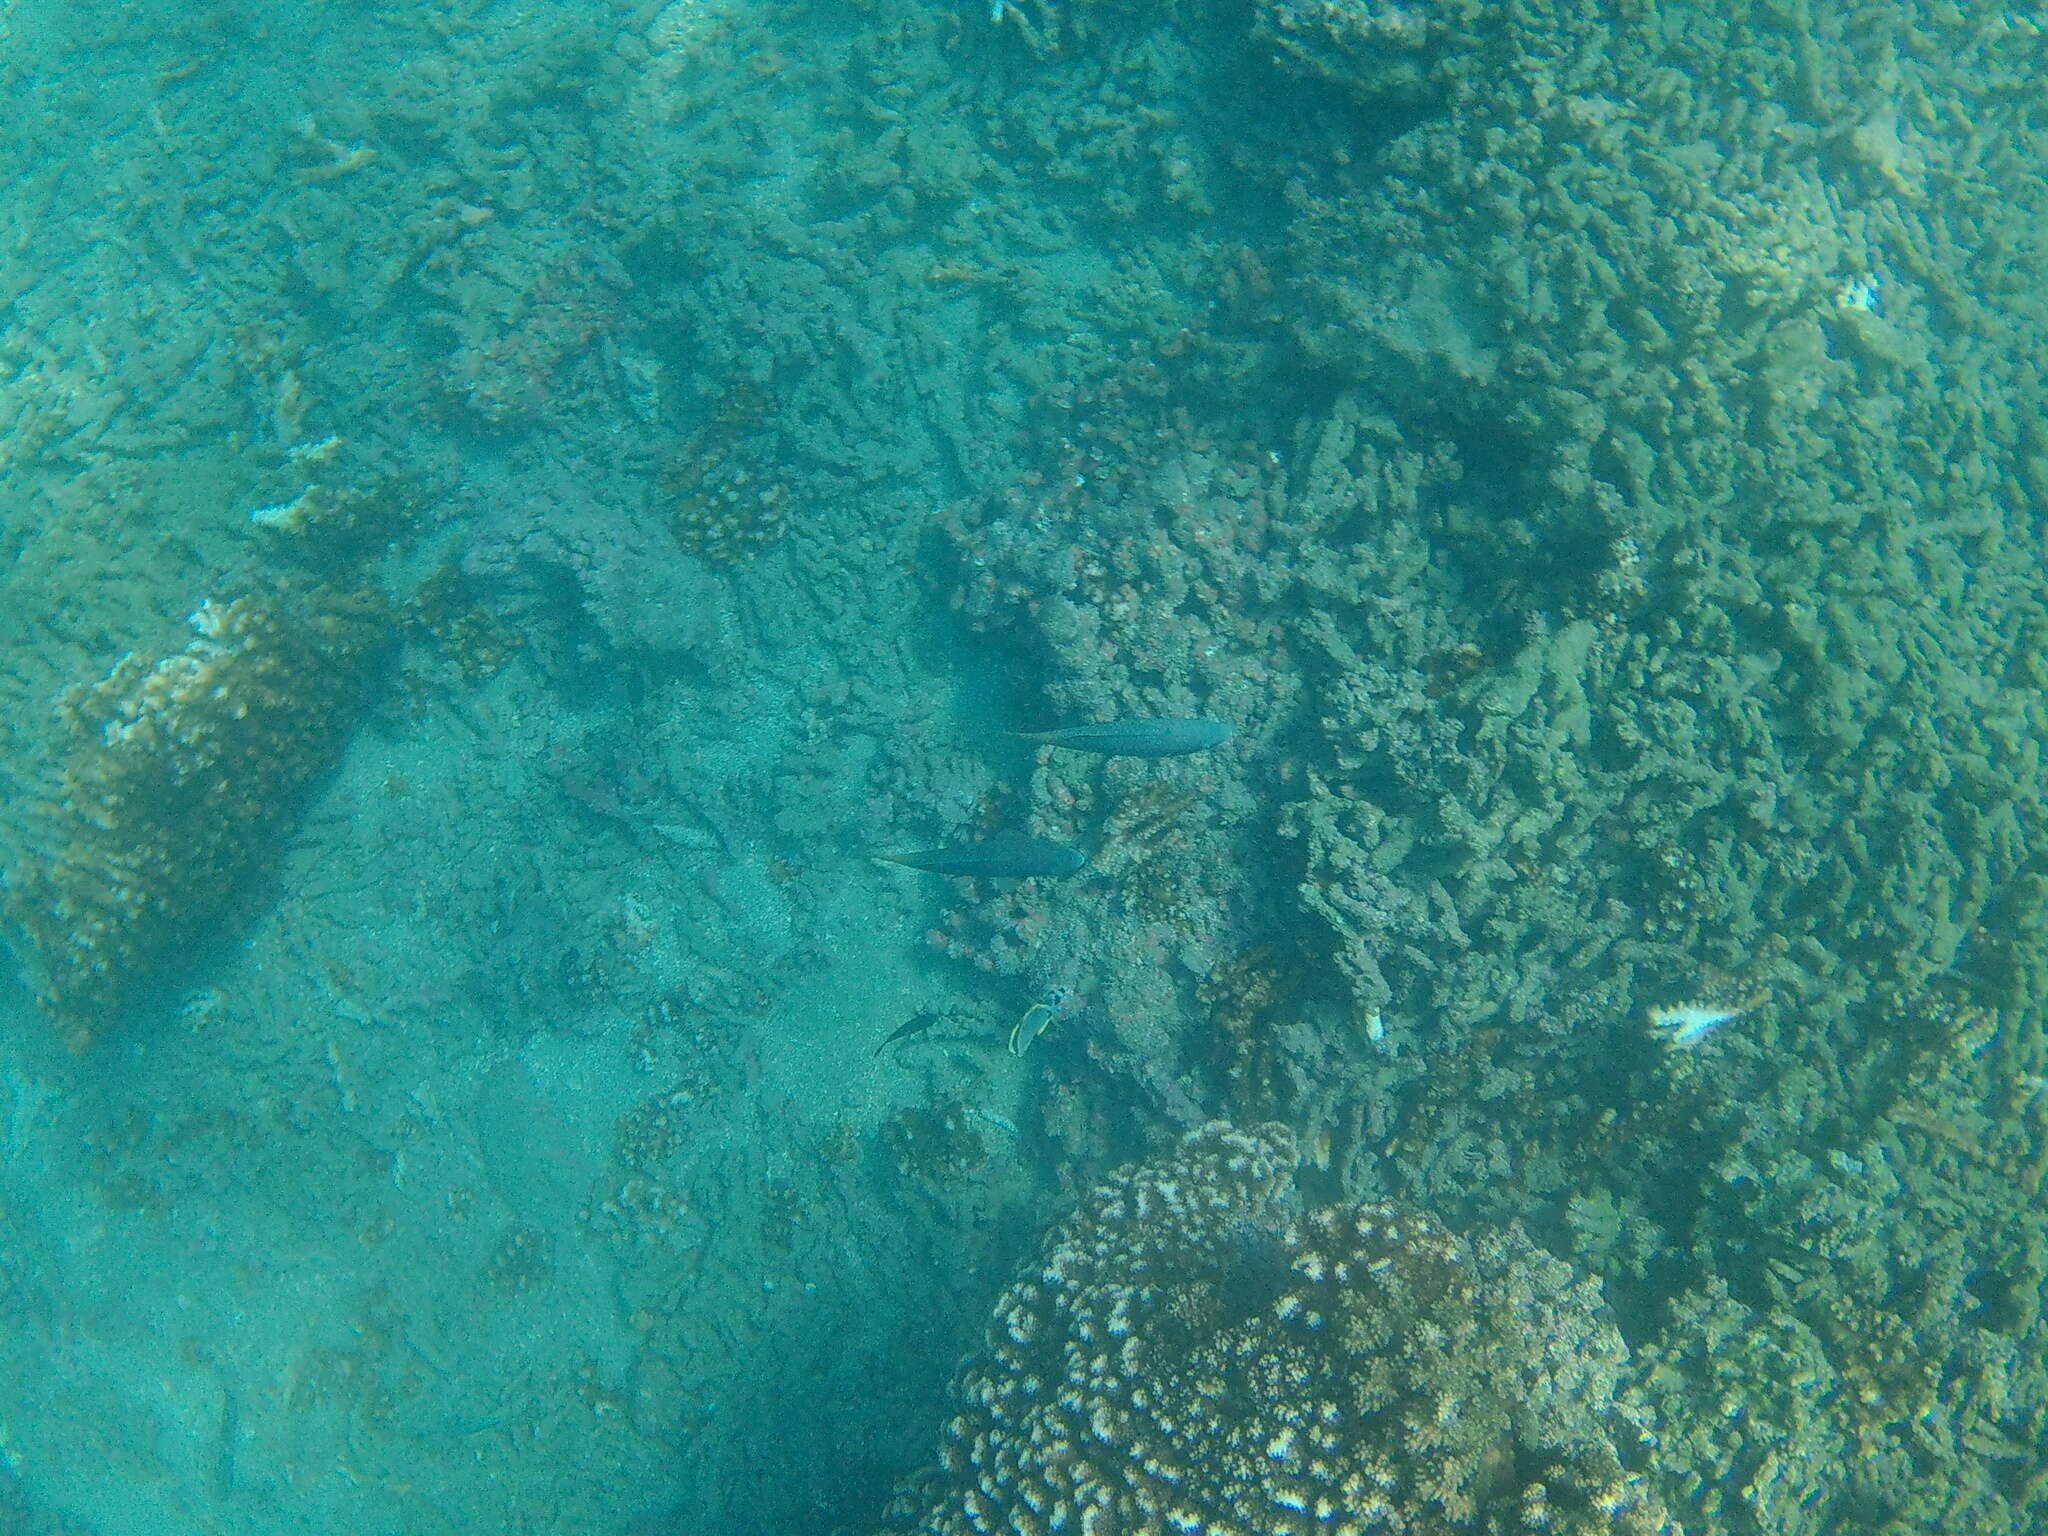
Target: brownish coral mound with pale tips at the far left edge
(181, 781)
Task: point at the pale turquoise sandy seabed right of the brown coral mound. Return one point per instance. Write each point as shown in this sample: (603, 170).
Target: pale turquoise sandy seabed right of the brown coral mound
(536, 1160)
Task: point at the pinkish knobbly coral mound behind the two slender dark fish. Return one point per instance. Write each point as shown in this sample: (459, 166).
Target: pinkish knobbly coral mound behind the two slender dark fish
(1142, 572)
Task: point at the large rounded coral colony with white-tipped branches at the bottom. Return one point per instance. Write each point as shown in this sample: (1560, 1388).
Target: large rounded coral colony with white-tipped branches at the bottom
(1195, 1355)
